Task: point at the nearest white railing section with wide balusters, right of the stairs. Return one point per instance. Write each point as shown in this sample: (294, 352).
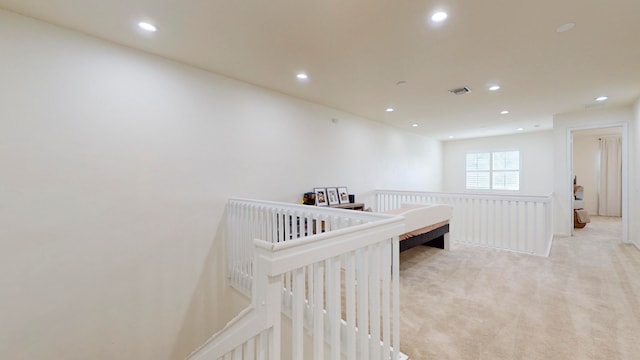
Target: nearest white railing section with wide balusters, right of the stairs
(342, 288)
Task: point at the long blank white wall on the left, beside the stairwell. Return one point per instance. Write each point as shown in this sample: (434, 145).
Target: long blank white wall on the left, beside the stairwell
(115, 170)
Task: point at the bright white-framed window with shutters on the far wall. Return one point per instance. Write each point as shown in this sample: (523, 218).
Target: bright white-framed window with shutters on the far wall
(487, 172)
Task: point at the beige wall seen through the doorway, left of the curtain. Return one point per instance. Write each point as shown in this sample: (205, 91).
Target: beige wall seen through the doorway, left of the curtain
(586, 166)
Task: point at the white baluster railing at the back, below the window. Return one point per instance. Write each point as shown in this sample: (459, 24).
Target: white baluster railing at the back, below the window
(507, 222)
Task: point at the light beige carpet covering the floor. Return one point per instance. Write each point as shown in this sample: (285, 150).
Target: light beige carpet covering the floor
(582, 302)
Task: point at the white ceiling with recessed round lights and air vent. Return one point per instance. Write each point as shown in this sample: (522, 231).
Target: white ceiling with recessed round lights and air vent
(355, 52)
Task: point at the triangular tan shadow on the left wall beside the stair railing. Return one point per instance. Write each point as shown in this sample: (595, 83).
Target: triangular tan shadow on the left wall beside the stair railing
(210, 307)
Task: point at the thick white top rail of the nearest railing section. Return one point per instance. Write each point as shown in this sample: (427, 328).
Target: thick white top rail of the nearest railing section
(289, 255)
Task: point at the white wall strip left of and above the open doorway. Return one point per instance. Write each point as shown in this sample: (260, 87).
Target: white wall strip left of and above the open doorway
(563, 184)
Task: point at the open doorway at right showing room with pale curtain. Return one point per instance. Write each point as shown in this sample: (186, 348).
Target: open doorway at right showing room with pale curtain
(598, 192)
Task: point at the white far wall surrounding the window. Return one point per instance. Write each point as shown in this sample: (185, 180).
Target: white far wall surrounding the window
(536, 154)
